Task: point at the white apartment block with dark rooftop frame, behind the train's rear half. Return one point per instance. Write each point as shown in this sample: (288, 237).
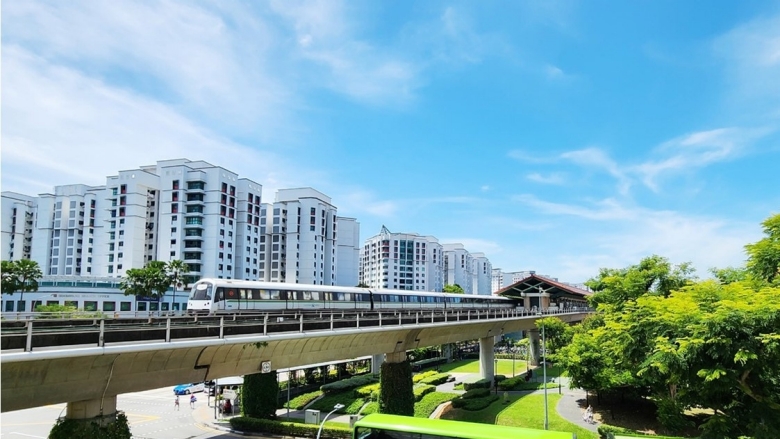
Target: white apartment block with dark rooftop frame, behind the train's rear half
(405, 261)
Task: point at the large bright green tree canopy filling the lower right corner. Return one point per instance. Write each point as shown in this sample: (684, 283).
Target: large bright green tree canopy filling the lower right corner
(712, 345)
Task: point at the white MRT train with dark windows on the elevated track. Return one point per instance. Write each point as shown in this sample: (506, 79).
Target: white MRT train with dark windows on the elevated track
(210, 296)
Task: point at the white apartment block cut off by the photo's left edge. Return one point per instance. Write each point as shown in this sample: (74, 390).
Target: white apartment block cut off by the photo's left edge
(16, 229)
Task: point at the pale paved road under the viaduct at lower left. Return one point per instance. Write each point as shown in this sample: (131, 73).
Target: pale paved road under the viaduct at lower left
(151, 415)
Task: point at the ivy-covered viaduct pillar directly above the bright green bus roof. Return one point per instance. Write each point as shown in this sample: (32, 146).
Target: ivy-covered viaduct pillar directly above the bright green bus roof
(396, 396)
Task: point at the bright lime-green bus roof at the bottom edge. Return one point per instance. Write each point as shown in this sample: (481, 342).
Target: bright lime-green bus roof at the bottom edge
(456, 429)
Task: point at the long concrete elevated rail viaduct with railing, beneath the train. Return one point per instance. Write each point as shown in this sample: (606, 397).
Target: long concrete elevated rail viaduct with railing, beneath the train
(86, 363)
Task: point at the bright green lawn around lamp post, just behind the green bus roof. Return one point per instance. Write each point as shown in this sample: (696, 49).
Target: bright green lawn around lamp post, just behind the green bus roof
(526, 411)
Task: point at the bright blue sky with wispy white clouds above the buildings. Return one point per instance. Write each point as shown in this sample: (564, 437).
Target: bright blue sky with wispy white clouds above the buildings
(552, 136)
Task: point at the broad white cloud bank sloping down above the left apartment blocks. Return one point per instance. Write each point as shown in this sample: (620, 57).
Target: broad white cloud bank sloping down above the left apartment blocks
(60, 126)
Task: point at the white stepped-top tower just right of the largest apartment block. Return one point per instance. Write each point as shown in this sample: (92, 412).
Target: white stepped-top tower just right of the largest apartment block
(299, 236)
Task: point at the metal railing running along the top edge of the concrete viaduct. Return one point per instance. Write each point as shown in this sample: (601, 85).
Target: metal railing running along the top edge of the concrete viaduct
(39, 333)
